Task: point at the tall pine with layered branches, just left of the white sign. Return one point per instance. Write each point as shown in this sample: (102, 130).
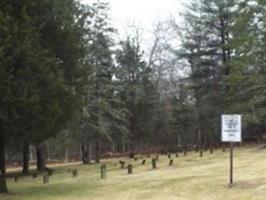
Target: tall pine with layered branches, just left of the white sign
(205, 52)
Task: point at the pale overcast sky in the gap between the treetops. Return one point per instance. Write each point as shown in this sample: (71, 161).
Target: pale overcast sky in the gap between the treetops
(142, 13)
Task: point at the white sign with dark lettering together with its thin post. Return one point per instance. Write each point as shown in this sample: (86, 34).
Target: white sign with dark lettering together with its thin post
(231, 132)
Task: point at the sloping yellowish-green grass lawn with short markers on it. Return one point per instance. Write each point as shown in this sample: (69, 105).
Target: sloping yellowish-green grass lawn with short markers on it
(191, 178)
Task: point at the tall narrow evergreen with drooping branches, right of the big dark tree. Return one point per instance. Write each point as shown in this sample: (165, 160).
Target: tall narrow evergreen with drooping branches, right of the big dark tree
(103, 113)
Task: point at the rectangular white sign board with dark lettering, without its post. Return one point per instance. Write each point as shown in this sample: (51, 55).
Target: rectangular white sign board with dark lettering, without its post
(231, 128)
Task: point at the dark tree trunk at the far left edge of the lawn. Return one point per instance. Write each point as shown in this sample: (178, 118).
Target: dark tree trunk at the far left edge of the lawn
(3, 186)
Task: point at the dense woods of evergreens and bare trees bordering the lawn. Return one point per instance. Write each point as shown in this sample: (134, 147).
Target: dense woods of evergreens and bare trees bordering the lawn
(70, 90)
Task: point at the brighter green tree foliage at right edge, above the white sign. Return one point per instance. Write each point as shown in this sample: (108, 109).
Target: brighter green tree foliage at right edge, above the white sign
(247, 78)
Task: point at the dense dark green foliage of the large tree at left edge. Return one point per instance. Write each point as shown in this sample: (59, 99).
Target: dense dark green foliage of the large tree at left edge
(41, 56)
